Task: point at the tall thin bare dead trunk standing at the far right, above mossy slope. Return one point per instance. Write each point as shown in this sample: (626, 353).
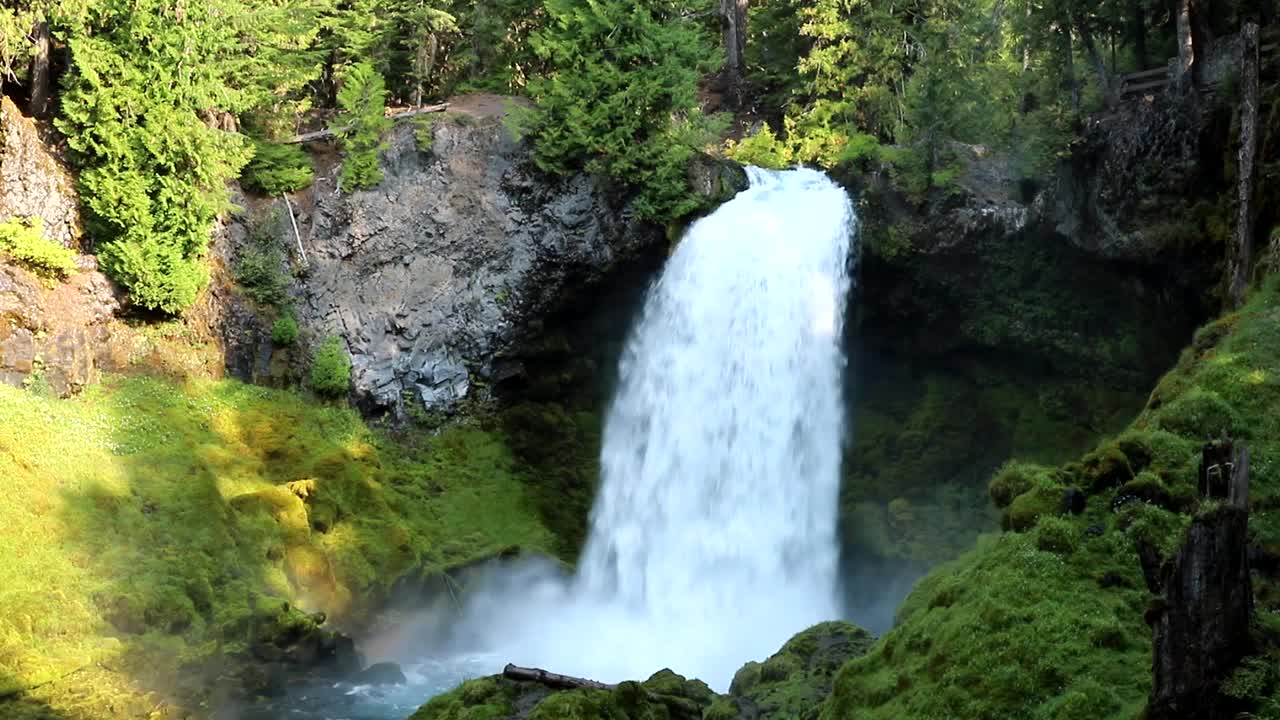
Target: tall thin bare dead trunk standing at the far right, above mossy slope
(1244, 258)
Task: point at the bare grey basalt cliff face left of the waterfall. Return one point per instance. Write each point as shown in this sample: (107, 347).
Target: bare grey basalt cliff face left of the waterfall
(432, 277)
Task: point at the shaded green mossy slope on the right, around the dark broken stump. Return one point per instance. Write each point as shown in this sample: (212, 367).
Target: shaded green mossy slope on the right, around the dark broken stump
(1050, 623)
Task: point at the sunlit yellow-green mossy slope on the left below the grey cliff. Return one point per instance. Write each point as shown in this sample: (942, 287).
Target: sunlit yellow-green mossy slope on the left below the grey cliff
(145, 521)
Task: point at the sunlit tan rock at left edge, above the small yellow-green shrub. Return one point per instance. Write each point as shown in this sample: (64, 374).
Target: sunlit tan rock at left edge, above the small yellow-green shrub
(33, 181)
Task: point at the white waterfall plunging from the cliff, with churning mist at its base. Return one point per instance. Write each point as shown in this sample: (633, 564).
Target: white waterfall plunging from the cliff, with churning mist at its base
(714, 537)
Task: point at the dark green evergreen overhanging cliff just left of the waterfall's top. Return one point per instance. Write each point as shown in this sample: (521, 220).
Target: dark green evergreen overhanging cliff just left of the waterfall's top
(620, 94)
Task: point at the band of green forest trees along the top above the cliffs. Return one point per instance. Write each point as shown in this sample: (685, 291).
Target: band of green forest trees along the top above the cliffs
(163, 103)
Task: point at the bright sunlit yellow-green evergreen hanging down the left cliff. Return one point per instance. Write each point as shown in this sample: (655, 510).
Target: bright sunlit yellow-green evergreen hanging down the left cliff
(154, 172)
